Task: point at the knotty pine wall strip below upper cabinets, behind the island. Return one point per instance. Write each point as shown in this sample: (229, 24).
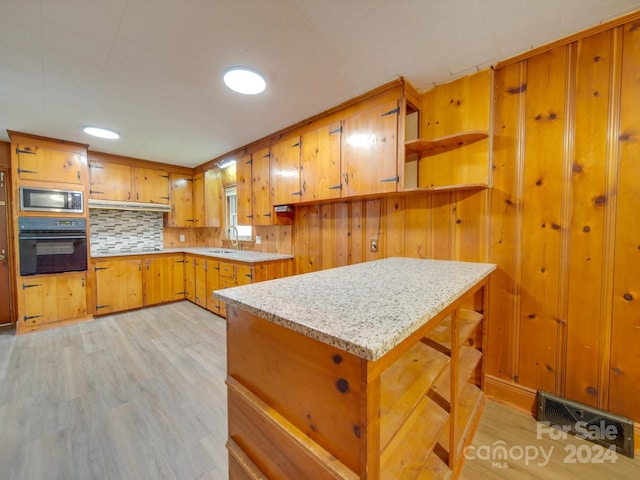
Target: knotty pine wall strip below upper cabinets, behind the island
(418, 225)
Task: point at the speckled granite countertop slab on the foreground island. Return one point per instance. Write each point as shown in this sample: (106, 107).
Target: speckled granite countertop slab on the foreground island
(365, 309)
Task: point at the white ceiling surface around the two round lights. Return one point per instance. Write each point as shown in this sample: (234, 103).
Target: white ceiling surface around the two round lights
(152, 69)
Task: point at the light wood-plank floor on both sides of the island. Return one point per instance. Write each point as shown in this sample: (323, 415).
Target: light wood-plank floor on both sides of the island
(141, 395)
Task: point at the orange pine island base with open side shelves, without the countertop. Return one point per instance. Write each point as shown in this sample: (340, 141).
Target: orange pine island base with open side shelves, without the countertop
(301, 408)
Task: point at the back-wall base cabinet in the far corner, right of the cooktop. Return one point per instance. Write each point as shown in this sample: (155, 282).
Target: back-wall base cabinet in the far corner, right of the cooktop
(163, 279)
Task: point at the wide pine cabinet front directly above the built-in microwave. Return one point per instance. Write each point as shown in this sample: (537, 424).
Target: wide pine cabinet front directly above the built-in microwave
(51, 165)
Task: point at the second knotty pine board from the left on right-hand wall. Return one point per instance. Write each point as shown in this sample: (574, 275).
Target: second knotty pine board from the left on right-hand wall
(542, 219)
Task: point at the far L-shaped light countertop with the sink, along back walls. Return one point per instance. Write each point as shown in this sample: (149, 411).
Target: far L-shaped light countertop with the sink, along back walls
(246, 256)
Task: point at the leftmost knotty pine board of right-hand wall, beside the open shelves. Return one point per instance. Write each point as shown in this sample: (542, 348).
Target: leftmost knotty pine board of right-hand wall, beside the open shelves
(506, 202)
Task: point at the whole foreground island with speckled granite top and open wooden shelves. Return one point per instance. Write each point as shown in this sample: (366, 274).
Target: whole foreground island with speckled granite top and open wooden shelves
(368, 371)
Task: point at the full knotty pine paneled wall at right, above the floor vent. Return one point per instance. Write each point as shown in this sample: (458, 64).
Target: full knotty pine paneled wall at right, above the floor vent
(565, 230)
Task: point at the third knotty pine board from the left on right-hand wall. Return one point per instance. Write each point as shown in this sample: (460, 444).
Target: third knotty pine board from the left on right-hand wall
(587, 229)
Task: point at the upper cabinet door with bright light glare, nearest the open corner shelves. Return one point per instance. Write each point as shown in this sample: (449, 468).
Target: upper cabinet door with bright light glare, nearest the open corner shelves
(370, 150)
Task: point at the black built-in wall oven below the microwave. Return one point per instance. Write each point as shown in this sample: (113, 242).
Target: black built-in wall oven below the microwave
(52, 245)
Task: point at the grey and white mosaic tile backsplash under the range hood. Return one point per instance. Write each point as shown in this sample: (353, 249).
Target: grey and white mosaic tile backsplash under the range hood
(124, 231)
